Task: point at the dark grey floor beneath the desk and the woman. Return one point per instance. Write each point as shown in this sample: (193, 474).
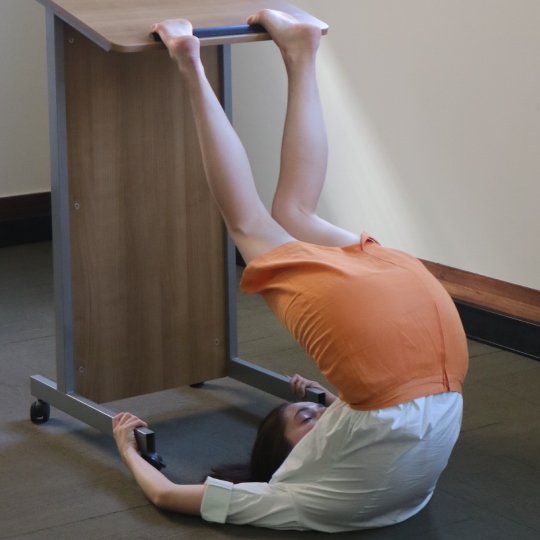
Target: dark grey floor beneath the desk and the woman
(64, 480)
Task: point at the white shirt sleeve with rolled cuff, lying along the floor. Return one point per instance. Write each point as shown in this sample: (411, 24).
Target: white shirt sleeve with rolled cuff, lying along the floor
(254, 503)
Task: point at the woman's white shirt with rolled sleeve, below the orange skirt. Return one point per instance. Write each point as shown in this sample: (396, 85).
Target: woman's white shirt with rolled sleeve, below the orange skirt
(353, 470)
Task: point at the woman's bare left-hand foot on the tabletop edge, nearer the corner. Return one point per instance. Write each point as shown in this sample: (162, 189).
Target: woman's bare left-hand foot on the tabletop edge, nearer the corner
(184, 47)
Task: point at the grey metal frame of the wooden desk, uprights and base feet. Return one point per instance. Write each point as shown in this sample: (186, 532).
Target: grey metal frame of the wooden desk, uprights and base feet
(61, 394)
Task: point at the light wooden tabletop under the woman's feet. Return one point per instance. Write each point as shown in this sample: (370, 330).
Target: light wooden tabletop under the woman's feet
(124, 25)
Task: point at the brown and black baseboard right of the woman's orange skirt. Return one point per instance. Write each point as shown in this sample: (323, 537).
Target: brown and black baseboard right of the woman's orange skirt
(492, 311)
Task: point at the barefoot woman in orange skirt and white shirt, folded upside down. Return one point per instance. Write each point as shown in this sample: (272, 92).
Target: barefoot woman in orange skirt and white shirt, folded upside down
(376, 323)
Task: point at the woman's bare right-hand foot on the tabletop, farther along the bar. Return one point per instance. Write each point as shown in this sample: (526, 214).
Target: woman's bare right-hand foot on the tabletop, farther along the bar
(291, 36)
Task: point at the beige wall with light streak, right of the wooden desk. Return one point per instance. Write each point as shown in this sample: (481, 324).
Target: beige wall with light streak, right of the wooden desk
(433, 113)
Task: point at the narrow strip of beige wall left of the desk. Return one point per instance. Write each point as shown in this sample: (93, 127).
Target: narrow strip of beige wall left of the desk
(24, 136)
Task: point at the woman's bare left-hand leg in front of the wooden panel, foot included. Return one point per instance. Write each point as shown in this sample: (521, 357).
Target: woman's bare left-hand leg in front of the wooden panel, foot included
(225, 162)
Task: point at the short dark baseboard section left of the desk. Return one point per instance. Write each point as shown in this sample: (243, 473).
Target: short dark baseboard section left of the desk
(25, 219)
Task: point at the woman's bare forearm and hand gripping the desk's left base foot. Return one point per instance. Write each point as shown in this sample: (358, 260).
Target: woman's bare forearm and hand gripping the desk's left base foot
(161, 491)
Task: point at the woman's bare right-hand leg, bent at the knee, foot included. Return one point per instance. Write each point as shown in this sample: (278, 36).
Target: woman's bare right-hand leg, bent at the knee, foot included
(304, 148)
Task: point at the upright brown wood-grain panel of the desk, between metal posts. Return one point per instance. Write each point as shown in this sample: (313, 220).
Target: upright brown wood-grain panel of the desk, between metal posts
(147, 241)
